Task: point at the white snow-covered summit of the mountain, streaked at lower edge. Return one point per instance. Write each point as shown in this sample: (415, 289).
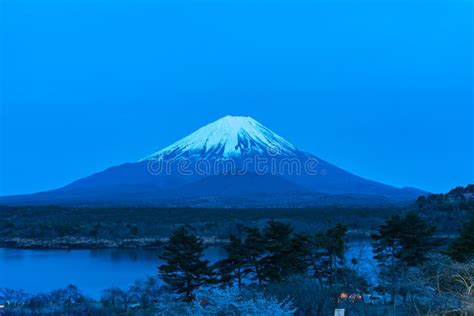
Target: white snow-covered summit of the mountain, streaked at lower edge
(230, 136)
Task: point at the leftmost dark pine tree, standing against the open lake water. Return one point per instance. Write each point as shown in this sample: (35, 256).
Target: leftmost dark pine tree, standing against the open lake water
(184, 269)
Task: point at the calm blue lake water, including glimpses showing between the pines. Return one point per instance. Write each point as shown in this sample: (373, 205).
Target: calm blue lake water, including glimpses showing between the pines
(95, 270)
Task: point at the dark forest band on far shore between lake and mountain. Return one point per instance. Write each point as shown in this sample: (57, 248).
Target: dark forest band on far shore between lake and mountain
(87, 227)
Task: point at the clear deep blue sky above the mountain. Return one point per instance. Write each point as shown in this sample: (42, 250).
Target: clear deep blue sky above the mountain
(383, 89)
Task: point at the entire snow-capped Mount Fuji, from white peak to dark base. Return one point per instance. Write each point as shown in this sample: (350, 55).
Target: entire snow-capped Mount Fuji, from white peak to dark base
(234, 161)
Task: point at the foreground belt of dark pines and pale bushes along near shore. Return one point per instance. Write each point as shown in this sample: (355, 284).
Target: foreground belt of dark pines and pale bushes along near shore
(277, 271)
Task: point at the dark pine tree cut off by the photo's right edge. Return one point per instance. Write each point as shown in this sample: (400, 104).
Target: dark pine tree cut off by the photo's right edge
(462, 248)
